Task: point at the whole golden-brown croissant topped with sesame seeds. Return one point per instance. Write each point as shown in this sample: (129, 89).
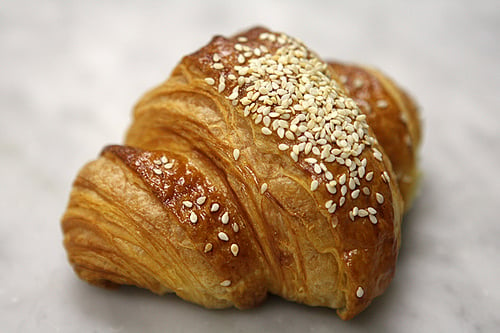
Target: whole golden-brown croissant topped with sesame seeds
(255, 168)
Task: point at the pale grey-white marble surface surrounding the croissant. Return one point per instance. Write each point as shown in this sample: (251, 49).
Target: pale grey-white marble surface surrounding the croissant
(70, 72)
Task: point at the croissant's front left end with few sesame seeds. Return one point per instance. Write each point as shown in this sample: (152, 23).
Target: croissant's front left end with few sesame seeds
(171, 244)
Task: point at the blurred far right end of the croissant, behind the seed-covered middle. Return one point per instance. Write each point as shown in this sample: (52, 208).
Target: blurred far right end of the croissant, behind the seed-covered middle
(393, 116)
